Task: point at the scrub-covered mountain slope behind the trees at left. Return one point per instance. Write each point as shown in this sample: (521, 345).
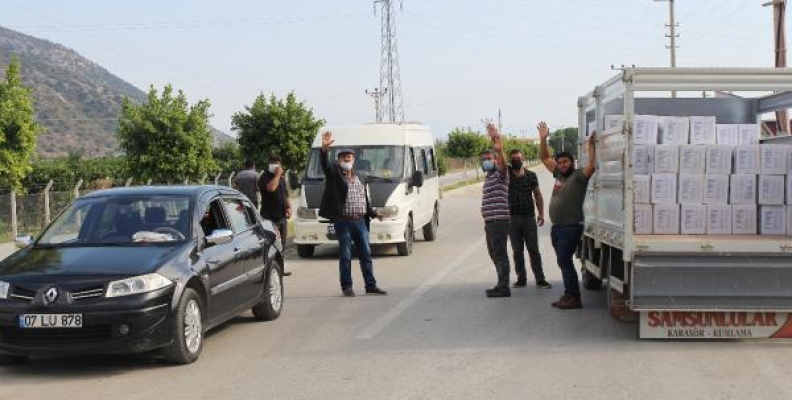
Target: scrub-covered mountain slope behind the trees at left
(77, 101)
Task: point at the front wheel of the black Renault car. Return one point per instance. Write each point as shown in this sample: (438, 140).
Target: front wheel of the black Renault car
(188, 332)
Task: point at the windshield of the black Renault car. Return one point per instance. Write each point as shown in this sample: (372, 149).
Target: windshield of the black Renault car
(120, 220)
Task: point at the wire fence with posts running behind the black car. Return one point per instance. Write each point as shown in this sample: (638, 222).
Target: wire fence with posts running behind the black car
(28, 213)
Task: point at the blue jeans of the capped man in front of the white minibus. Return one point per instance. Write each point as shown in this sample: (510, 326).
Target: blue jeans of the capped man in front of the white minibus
(357, 231)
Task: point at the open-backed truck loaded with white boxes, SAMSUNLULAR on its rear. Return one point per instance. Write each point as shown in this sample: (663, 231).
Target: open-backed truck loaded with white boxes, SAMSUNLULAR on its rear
(725, 279)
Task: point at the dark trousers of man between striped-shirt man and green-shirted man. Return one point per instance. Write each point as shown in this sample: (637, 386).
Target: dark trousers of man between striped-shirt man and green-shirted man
(523, 234)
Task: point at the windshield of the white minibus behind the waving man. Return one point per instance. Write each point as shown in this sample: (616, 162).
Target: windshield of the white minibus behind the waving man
(386, 162)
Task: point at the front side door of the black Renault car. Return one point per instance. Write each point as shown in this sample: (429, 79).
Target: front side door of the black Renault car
(226, 272)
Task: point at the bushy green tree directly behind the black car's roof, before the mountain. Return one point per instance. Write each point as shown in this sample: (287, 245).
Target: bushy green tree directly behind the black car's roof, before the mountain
(166, 139)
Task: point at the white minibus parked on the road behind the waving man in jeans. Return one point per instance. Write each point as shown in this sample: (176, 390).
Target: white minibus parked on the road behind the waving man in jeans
(398, 164)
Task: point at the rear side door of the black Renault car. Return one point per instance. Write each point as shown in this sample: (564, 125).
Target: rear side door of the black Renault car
(248, 243)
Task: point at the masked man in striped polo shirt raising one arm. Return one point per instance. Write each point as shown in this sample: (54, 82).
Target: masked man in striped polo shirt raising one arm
(495, 210)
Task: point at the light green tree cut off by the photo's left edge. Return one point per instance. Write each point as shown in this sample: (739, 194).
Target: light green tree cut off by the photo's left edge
(18, 129)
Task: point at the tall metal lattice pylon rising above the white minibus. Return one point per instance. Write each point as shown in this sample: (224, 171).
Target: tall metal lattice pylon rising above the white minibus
(390, 80)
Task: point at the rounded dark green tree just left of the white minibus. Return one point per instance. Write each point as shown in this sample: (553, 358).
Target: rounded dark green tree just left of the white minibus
(271, 125)
